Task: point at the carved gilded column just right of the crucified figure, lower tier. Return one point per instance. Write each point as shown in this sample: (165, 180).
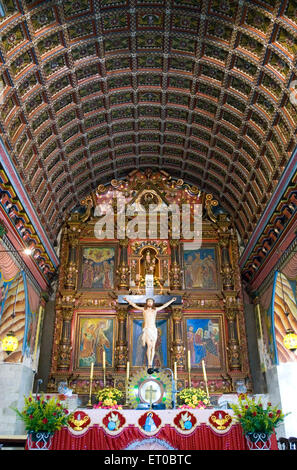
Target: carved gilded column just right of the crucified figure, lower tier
(178, 347)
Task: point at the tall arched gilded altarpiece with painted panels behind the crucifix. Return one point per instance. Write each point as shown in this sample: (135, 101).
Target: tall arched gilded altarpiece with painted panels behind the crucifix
(93, 322)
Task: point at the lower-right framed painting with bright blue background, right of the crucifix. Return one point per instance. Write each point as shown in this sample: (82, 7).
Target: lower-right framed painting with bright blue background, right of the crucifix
(204, 341)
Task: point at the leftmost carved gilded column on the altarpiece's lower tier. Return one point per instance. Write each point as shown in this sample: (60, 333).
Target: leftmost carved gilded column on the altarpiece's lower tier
(65, 346)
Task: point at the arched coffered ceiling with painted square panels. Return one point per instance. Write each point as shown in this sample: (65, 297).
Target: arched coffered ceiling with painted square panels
(201, 89)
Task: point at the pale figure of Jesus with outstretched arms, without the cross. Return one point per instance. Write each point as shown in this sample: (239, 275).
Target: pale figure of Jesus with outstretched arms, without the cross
(149, 331)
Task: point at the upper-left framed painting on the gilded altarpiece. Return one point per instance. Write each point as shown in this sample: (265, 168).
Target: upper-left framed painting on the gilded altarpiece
(97, 267)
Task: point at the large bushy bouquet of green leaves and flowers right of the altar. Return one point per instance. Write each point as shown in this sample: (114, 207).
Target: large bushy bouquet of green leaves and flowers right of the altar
(254, 417)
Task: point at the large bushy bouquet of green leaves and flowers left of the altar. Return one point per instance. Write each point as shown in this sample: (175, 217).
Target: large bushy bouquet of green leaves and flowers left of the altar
(43, 414)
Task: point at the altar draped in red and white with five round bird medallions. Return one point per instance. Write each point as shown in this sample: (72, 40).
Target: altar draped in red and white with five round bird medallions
(179, 429)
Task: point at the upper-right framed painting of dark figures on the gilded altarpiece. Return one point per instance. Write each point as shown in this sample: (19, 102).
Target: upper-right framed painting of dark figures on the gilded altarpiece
(200, 267)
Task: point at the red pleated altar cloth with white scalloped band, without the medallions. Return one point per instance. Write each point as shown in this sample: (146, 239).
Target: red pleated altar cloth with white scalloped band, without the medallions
(167, 435)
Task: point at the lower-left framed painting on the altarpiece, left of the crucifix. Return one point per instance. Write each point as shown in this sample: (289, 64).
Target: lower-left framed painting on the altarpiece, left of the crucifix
(95, 334)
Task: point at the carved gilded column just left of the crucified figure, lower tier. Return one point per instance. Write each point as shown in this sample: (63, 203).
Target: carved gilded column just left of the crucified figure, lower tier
(121, 350)
